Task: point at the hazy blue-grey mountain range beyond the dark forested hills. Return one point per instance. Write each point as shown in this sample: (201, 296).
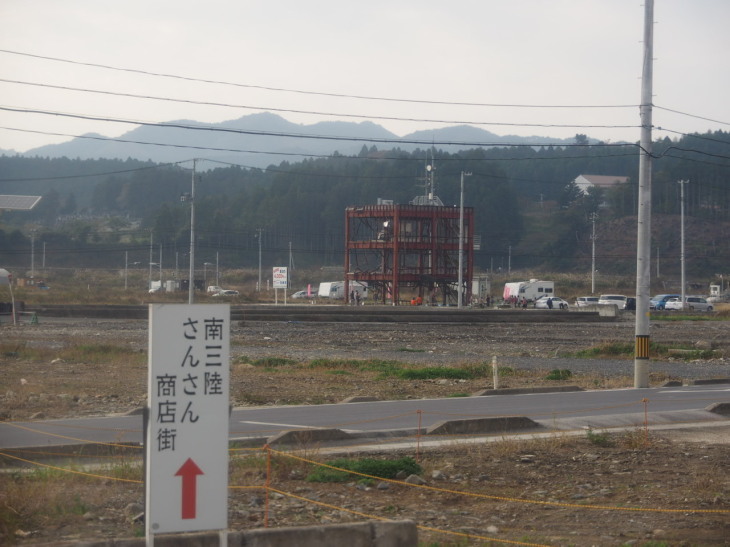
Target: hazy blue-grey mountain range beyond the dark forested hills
(261, 140)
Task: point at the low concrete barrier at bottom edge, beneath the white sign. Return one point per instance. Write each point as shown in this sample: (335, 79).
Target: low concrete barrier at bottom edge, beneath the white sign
(399, 533)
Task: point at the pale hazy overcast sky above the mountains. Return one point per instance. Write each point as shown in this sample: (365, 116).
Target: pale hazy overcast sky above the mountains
(320, 60)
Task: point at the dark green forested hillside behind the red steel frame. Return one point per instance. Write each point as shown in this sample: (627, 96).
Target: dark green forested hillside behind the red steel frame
(528, 212)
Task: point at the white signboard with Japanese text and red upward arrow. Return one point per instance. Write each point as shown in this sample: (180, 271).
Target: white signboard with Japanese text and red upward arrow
(187, 430)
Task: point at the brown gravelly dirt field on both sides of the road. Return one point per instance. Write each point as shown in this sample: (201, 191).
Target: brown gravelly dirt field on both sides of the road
(617, 488)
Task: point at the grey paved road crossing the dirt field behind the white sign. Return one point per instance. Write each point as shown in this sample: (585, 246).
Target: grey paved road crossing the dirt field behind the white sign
(607, 408)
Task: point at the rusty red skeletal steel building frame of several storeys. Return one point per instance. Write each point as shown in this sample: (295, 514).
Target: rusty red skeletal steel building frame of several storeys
(407, 252)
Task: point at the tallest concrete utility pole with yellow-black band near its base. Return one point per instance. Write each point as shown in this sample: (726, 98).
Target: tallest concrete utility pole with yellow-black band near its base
(643, 248)
